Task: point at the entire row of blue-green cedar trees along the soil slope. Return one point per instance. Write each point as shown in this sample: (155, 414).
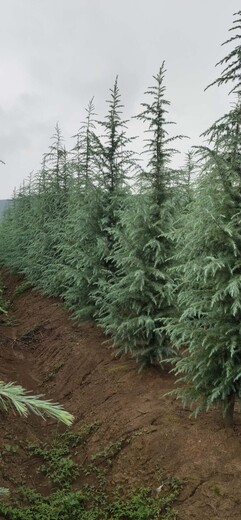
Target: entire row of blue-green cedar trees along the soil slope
(153, 254)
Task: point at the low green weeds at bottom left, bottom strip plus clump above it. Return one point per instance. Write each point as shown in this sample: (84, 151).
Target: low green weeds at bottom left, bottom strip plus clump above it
(80, 490)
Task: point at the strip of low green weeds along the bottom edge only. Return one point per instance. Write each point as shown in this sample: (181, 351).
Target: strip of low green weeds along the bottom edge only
(89, 504)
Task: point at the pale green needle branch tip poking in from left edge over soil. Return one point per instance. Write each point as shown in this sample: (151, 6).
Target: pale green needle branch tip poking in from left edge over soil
(14, 396)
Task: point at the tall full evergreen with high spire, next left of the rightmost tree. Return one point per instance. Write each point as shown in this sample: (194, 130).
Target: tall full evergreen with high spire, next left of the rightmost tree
(140, 297)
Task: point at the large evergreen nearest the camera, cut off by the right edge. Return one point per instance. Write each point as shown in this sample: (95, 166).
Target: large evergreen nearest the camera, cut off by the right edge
(210, 267)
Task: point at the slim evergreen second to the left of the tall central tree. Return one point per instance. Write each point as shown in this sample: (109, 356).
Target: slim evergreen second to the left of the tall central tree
(81, 227)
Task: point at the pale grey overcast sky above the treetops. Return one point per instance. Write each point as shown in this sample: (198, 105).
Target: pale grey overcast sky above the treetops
(56, 54)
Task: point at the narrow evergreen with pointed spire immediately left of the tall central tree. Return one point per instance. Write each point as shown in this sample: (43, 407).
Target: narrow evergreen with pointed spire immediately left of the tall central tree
(116, 163)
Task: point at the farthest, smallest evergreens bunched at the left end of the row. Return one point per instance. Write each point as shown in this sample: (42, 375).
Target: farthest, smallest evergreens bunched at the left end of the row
(32, 229)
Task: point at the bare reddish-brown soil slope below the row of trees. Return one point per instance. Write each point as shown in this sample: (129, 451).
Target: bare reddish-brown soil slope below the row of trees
(47, 353)
